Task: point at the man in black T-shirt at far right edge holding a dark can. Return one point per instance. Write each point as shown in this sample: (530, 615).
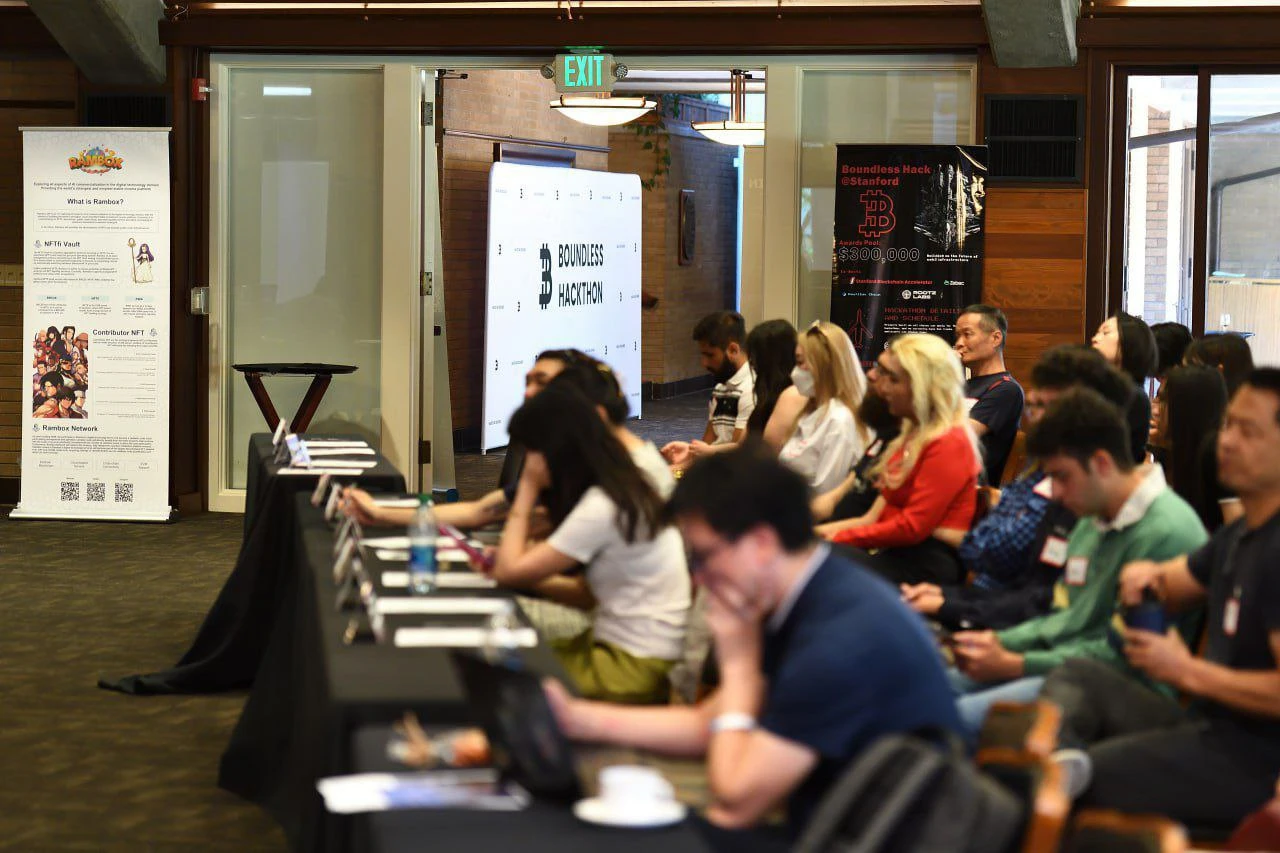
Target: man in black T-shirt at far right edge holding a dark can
(1212, 764)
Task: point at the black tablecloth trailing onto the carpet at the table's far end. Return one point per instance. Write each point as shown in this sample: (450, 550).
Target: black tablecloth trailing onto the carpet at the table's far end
(230, 645)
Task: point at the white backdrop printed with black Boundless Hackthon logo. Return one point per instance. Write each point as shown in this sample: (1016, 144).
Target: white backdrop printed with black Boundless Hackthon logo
(564, 272)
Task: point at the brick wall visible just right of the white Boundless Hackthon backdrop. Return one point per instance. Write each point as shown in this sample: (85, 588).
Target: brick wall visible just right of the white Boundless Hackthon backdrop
(685, 294)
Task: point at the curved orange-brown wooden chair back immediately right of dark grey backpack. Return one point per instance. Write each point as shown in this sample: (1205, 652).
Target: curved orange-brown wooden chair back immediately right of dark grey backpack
(1039, 783)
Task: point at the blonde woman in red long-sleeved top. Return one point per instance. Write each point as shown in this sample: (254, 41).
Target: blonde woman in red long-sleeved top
(929, 476)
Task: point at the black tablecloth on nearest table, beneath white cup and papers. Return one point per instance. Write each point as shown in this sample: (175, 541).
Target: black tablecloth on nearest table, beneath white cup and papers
(543, 828)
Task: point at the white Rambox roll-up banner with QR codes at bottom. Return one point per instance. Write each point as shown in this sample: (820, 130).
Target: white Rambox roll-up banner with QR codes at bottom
(95, 384)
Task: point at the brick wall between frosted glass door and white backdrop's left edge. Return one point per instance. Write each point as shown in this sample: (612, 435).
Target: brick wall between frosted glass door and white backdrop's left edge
(508, 104)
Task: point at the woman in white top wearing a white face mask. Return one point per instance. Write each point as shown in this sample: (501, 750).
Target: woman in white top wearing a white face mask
(826, 437)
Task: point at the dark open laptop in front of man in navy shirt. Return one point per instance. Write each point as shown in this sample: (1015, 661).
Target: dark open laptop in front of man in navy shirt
(527, 743)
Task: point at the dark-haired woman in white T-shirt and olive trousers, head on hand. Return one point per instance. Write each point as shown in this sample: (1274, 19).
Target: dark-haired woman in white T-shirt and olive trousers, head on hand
(607, 518)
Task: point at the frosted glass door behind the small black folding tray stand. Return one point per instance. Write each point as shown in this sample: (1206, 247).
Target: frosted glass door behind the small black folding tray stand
(314, 250)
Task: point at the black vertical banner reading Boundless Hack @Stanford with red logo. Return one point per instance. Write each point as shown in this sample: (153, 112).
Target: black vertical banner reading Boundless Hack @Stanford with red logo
(909, 240)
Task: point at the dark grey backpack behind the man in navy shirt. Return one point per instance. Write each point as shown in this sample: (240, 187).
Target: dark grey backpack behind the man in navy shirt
(906, 795)
